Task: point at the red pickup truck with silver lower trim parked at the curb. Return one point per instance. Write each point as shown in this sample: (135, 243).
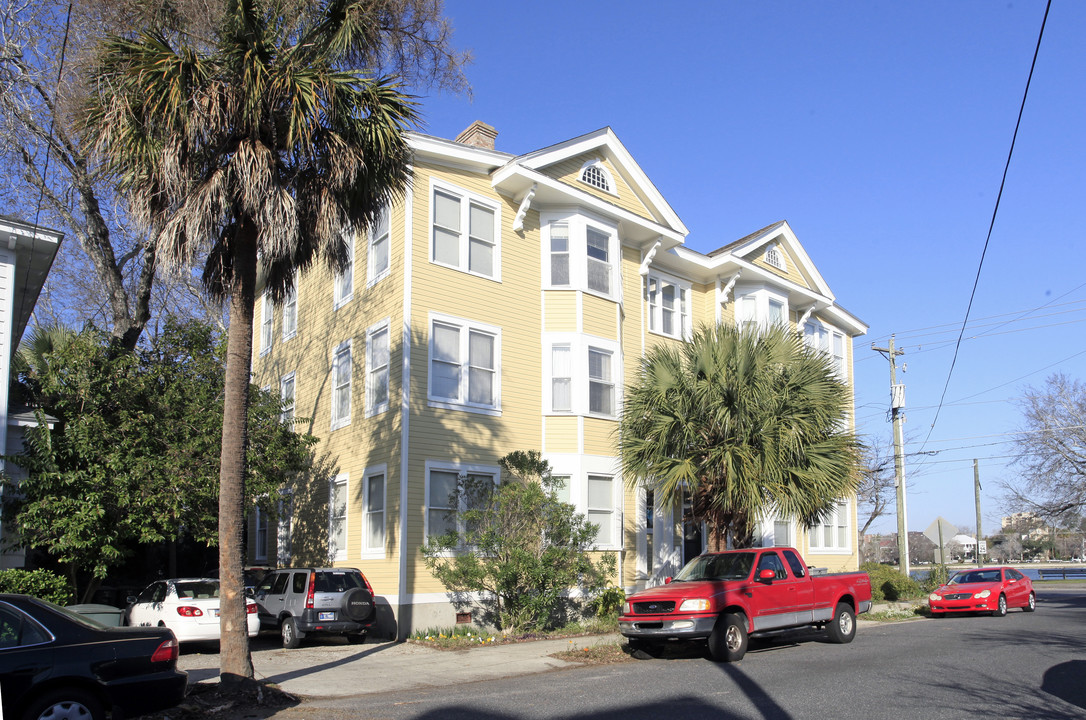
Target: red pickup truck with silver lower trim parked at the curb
(726, 598)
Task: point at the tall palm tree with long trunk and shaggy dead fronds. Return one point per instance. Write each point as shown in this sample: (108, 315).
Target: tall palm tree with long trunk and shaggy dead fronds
(268, 148)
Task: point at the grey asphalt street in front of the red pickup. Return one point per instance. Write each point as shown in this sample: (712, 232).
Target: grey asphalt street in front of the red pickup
(1021, 666)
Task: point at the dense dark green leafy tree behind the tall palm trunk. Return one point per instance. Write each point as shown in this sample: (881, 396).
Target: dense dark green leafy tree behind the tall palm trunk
(131, 456)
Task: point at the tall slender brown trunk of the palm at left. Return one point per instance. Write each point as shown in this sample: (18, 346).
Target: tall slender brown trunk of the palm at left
(236, 663)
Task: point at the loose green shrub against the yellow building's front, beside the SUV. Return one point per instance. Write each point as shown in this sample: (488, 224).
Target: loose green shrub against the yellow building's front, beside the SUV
(519, 545)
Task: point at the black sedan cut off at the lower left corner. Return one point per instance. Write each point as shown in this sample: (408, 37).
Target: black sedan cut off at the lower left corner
(57, 664)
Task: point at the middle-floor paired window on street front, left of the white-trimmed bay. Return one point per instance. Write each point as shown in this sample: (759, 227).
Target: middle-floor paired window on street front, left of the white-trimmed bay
(465, 369)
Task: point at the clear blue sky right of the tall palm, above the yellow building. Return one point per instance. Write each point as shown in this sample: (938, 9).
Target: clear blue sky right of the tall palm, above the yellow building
(880, 132)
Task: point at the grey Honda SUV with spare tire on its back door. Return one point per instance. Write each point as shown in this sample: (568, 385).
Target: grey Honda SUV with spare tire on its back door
(300, 602)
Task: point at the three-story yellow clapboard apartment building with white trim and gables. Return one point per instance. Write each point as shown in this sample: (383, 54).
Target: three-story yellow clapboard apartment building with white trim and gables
(501, 305)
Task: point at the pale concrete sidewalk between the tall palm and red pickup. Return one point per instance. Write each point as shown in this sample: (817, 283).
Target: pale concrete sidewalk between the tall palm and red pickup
(332, 670)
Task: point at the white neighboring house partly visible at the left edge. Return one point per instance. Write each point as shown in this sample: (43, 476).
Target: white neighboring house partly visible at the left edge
(27, 256)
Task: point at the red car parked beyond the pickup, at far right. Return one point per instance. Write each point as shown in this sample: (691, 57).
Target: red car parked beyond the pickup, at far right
(984, 590)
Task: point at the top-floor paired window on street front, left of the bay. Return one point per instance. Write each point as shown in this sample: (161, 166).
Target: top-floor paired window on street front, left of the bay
(466, 232)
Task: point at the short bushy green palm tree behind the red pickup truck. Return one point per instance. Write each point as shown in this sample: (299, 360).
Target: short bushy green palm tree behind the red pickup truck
(741, 424)
